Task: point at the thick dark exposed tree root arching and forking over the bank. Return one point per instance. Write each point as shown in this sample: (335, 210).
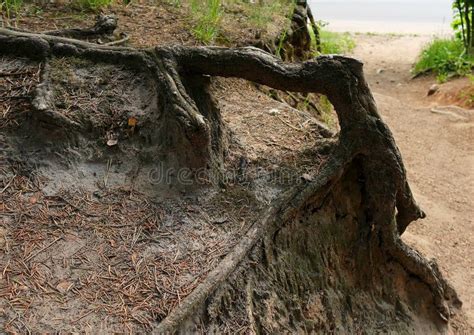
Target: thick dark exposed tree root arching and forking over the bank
(187, 127)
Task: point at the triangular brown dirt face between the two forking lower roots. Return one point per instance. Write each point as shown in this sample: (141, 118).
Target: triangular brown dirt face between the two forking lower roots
(322, 272)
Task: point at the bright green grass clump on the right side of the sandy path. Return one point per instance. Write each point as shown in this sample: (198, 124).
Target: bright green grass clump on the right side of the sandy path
(445, 58)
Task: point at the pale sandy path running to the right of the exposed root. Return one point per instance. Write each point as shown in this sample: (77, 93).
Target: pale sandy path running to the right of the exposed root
(438, 153)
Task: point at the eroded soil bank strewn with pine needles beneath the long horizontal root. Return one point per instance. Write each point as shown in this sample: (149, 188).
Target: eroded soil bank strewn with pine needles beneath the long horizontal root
(94, 239)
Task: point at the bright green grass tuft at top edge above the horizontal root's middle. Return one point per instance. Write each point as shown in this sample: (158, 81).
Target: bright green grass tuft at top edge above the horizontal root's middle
(208, 15)
